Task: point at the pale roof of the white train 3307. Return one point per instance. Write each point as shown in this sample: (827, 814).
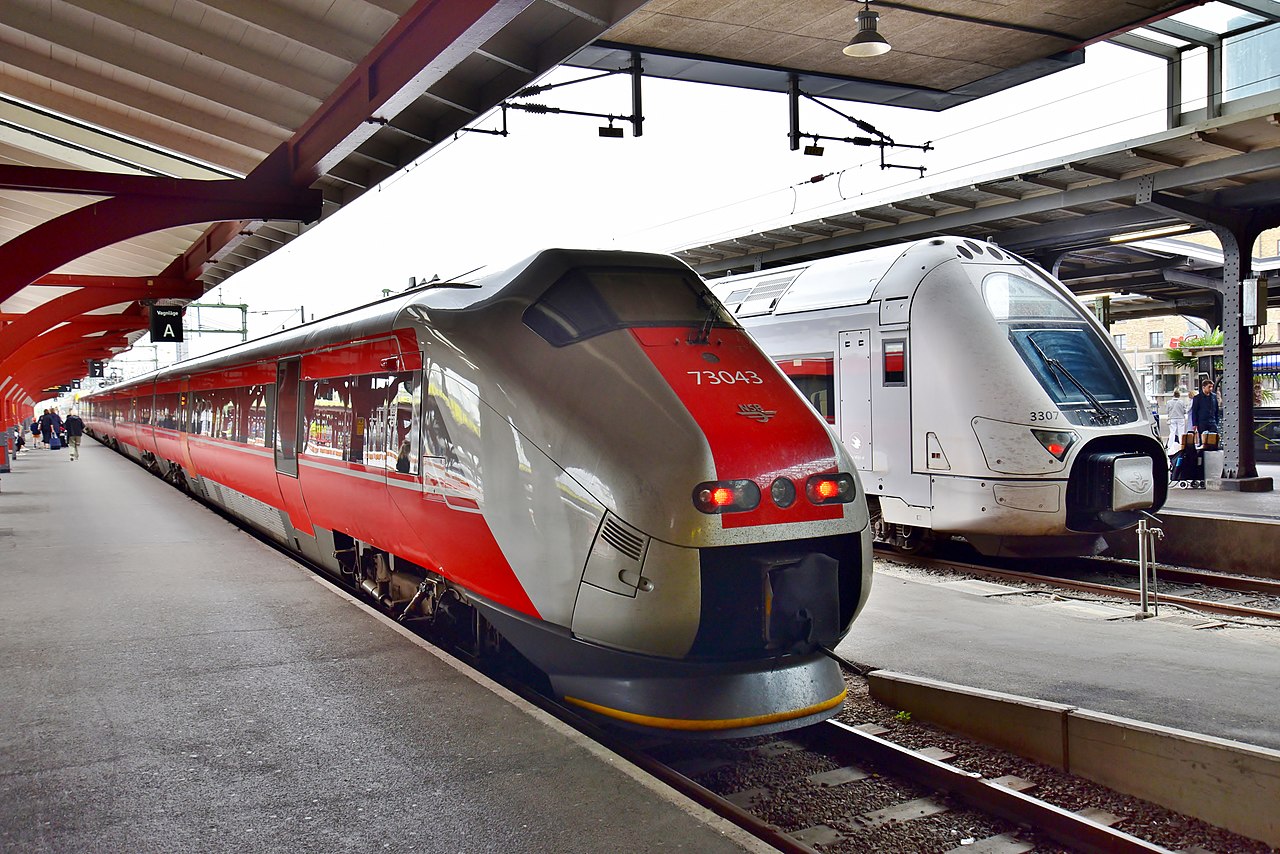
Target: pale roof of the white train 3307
(839, 281)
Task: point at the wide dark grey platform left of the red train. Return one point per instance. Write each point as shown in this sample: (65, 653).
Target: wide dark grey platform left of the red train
(171, 684)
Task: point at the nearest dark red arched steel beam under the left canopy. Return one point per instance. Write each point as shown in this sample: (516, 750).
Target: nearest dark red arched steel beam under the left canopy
(143, 205)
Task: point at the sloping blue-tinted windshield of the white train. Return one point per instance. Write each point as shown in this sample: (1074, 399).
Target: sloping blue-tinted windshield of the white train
(1066, 354)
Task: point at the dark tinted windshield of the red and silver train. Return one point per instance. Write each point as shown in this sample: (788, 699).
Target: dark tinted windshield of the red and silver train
(592, 302)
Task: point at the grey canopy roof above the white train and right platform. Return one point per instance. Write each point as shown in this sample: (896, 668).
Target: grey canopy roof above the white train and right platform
(1080, 217)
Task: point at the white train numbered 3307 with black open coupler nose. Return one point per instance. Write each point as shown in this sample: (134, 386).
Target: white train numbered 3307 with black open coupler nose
(977, 398)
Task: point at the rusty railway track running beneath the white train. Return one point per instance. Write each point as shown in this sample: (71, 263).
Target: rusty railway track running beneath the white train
(1236, 596)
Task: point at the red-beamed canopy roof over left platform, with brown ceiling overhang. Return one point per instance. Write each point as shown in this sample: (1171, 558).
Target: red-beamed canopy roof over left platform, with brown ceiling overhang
(149, 149)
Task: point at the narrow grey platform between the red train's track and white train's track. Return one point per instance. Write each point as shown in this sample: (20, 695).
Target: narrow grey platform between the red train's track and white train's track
(1224, 683)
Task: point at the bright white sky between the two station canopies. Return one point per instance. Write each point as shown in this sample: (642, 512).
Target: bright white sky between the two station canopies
(712, 162)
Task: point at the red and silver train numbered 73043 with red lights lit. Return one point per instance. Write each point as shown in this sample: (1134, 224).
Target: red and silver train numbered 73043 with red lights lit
(584, 458)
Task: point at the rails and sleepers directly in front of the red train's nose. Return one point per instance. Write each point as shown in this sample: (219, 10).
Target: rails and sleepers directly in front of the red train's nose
(875, 796)
